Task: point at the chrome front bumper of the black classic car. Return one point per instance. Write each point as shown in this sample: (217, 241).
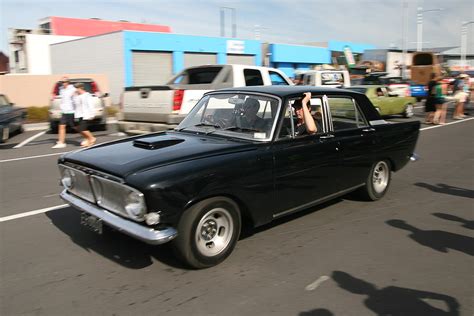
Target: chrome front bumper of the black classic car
(140, 232)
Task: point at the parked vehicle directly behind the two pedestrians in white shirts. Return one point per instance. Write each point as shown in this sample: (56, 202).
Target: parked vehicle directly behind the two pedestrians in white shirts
(100, 119)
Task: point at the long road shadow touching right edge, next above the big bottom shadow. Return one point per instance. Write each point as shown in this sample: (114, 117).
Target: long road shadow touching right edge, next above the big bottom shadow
(436, 239)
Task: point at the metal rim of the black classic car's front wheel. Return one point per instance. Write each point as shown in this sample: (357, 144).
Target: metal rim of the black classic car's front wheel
(214, 232)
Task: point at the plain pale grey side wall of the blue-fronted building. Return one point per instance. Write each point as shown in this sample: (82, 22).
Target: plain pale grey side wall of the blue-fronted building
(101, 54)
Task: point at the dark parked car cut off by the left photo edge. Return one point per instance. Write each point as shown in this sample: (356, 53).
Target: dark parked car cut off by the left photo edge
(11, 118)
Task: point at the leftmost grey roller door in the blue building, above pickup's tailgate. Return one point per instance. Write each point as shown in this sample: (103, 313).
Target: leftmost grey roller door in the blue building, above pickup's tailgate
(152, 68)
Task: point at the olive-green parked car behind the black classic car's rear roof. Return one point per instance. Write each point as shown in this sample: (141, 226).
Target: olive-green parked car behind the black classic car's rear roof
(384, 102)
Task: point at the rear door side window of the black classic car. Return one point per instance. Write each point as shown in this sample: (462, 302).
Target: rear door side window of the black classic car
(345, 114)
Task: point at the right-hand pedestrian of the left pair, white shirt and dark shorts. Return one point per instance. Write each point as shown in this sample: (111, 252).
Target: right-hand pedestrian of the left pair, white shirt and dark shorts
(84, 112)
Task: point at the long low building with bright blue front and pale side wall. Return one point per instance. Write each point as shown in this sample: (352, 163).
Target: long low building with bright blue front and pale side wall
(133, 58)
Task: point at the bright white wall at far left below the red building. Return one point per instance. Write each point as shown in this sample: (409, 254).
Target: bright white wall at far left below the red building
(38, 52)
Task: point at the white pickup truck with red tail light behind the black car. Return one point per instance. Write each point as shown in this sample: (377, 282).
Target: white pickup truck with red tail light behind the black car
(155, 108)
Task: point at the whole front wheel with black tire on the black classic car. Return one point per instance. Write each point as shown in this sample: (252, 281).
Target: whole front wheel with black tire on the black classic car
(218, 221)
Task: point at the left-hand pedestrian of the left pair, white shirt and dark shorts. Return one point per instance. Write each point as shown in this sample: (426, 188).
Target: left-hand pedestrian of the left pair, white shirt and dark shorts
(67, 93)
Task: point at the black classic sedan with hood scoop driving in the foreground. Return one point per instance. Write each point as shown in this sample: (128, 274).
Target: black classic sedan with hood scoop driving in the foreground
(198, 185)
